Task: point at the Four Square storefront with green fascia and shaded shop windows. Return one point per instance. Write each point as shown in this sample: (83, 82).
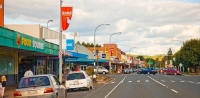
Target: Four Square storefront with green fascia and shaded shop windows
(19, 51)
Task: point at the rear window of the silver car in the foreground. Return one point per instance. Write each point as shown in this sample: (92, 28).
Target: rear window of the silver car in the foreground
(34, 81)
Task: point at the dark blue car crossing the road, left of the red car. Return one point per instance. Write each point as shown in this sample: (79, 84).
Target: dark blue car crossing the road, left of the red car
(147, 71)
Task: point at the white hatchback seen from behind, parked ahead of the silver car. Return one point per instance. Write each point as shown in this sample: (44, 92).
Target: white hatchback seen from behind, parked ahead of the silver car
(77, 80)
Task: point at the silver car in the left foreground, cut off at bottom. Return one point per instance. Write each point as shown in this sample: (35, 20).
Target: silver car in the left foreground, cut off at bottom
(40, 86)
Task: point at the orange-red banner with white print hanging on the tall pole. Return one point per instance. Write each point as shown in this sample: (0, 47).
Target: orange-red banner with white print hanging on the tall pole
(66, 17)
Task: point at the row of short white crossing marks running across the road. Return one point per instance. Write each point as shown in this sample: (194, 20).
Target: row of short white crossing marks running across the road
(163, 81)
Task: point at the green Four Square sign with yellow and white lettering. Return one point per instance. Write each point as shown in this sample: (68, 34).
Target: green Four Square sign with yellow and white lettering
(29, 43)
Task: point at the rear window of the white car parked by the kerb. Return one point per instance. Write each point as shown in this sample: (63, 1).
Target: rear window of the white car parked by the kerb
(74, 76)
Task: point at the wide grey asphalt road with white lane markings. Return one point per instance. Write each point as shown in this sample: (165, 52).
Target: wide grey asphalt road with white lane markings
(144, 86)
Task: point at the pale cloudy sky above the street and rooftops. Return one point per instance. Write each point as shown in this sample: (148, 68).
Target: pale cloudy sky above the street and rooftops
(148, 25)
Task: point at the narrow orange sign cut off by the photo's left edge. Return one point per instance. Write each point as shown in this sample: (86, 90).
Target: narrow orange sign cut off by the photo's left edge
(1, 13)
